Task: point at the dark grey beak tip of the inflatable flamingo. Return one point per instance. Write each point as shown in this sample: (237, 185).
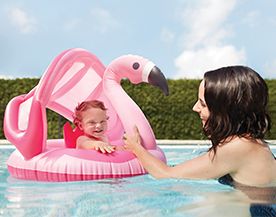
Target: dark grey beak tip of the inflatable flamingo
(157, 78)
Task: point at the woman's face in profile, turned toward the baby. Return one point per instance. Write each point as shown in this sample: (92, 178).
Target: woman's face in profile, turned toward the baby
(200, 106)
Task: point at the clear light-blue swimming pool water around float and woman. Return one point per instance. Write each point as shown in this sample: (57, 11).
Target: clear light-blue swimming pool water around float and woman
(134, 196)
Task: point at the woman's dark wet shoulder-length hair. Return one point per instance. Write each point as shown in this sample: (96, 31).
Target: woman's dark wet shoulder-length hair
(237, 99)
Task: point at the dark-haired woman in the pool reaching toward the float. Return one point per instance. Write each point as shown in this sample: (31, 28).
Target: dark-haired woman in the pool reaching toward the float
(232, 104)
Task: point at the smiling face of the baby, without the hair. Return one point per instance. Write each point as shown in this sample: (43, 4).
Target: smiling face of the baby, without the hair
(94, 122)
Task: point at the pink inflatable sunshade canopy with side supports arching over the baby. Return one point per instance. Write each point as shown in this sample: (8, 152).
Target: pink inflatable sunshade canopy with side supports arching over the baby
(73, 76)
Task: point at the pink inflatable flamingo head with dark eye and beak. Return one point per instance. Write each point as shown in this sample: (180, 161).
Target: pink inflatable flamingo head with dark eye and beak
(137, 69)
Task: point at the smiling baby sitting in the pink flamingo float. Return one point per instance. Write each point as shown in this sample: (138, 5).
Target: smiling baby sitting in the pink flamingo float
(91, 118)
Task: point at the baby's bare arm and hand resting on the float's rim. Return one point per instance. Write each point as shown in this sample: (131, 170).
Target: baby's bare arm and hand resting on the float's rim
(83, 142)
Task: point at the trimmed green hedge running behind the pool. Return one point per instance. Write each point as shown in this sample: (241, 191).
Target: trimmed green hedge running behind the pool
(171, 117)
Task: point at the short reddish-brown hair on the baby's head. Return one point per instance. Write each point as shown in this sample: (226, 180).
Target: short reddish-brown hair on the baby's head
(85, 105)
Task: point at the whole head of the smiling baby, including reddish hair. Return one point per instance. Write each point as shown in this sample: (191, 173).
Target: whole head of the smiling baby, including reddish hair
(91, 117)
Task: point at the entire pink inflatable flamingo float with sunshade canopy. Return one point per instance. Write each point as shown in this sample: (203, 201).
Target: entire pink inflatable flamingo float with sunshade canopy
(74, 76)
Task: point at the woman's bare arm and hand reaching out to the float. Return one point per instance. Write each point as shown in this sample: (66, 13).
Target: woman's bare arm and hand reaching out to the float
(202, 167)
